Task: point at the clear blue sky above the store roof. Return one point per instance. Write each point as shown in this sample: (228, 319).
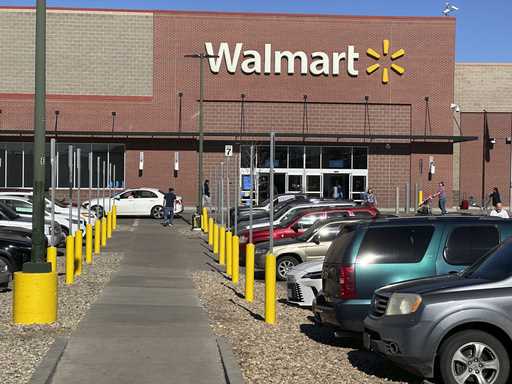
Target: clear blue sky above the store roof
(484, 28)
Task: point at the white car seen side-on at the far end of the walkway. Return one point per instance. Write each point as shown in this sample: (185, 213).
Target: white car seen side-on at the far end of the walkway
(136, 202)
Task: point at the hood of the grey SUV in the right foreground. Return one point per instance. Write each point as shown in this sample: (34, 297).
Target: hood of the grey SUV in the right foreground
(429, 285)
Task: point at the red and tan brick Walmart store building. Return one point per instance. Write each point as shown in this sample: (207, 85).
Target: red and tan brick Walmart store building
(354, 101)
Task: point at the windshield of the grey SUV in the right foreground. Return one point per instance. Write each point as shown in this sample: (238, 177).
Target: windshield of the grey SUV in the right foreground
(495, 265)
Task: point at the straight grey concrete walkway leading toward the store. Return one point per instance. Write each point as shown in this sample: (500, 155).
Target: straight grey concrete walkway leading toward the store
(147, 326)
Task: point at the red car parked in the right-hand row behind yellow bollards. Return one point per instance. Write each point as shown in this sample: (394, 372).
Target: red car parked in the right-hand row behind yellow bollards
(295, 225)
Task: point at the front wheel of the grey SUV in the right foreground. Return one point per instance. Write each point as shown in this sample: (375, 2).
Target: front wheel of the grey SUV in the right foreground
(473, 357)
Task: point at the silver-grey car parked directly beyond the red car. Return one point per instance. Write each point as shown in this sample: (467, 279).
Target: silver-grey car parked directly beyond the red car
(289, 209)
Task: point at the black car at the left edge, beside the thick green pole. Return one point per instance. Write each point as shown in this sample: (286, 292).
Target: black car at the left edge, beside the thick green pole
(15, 250)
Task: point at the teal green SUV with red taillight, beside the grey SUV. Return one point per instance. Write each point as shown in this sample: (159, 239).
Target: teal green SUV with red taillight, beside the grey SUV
(370, 255)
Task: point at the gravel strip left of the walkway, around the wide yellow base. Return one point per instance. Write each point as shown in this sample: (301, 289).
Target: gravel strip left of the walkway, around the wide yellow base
(23, 347)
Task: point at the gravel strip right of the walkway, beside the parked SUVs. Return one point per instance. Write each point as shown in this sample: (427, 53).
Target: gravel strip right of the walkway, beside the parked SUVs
(295, 350)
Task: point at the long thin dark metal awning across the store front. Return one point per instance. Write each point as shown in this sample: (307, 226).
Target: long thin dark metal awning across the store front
(235, 134)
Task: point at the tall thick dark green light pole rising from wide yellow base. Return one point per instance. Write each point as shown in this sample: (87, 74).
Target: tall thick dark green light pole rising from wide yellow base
(38, 236)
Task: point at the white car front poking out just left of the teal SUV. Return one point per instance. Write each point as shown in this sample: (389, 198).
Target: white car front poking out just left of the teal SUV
(303, 282)
